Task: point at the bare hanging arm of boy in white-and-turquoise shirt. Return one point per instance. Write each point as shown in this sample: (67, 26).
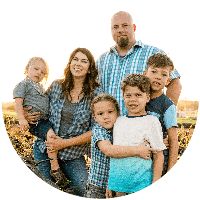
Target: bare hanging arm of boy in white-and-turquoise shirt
(158, 160)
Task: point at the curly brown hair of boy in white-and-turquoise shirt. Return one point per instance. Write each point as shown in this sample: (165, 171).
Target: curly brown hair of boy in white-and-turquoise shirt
(137, 80)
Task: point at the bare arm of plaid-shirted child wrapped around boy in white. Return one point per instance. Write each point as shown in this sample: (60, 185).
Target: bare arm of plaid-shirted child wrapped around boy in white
(116, 151)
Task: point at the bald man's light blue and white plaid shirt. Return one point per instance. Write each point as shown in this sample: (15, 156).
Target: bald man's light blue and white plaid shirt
(113, 68)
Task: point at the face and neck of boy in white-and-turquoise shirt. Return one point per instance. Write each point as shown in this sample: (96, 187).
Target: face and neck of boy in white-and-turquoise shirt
(135, 100)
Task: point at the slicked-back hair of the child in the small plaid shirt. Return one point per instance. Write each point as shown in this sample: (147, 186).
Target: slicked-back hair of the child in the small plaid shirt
(105, 97)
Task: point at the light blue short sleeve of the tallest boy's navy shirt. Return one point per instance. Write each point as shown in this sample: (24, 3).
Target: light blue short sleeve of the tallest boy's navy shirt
(170, 118)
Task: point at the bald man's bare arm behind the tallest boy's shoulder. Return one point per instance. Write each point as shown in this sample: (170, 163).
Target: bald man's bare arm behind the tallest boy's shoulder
(174, 90)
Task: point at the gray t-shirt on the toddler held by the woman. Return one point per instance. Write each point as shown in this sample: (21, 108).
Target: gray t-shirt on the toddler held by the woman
(34, 95)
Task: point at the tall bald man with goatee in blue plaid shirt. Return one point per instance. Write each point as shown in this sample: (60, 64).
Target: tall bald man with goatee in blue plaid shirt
(129, 56)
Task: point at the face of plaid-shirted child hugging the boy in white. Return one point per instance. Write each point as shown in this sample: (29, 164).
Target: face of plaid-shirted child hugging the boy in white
(105, 113)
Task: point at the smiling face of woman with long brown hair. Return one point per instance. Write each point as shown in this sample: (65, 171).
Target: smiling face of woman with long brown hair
(79, 65)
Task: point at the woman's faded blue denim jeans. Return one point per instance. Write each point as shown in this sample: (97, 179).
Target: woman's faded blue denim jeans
(75, 170)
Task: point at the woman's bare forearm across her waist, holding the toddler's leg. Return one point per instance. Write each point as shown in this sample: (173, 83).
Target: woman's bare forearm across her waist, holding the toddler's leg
(58, 143)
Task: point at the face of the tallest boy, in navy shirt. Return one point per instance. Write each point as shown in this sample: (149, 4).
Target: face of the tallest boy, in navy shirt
(159, 77)
